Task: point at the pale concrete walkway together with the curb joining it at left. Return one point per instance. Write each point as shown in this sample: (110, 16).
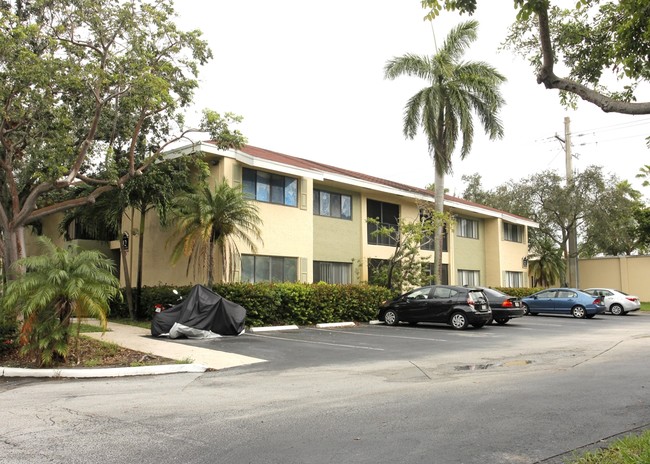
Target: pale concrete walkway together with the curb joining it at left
(140, 339)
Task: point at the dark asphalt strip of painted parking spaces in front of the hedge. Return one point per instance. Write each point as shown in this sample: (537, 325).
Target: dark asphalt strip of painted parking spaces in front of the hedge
(311, 346)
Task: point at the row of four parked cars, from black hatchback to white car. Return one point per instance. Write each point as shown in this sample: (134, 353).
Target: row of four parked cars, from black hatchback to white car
(463, 306)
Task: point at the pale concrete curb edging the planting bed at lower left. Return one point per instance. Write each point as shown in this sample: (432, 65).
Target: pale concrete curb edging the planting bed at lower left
(87, 373)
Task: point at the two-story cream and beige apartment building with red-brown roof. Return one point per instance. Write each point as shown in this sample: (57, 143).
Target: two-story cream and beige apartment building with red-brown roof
(315, 225)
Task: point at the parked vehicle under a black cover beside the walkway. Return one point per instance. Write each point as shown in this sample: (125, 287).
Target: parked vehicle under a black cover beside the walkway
(202, 314)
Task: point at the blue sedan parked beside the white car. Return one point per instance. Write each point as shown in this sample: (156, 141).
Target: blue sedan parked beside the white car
(564, 301)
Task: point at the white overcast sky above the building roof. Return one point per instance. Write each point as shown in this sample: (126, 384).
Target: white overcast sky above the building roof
(308, 79)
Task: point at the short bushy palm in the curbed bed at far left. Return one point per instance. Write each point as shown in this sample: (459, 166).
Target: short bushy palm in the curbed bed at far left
(57, 285)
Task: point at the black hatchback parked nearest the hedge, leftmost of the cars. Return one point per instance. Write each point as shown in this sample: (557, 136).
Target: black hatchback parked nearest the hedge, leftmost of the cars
(456, 306)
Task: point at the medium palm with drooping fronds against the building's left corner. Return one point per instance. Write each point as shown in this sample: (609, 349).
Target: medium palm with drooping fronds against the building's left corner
(206, 220)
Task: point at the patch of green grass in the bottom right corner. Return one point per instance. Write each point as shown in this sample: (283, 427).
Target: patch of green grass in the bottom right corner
(634, 449)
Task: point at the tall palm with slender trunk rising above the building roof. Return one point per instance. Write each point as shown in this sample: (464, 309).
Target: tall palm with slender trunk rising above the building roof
(444, 108)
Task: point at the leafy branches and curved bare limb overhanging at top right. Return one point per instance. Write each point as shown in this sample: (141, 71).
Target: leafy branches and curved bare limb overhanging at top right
(595, 40)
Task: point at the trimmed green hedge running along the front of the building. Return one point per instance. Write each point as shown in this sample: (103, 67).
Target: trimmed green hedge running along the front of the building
(278, 304)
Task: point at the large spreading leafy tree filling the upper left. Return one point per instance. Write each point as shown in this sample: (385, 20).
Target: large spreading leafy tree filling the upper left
(75, 75)
